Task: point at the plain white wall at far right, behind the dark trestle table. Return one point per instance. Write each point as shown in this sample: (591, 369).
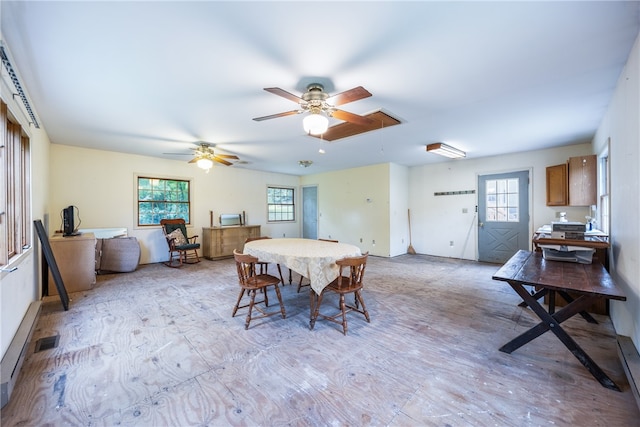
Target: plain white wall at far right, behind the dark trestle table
(622, 127)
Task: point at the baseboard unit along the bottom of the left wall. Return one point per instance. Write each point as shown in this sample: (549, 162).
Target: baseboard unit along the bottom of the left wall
(13, 358)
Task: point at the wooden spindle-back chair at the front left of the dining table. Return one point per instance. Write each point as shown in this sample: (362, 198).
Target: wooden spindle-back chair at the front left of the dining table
(250, 282)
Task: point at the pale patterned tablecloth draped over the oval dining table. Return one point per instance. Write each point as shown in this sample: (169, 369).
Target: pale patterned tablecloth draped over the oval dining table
(314, 259)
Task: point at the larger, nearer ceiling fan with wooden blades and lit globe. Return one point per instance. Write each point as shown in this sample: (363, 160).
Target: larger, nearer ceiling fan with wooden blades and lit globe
(320, 105)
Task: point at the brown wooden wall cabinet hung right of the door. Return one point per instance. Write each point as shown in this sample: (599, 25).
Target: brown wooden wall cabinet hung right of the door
(573, 183)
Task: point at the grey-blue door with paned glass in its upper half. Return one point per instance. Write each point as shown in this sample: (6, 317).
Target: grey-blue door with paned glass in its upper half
(503, 215)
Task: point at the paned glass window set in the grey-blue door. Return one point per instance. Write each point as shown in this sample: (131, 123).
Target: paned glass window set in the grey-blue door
(502, 200)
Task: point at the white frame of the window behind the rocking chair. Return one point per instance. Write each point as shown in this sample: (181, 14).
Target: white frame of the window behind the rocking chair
(180, 213)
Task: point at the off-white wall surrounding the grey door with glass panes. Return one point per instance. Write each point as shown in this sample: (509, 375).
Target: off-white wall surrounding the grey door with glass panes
(439, 220)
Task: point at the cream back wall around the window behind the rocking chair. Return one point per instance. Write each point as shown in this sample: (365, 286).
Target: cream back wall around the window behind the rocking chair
(102, 185)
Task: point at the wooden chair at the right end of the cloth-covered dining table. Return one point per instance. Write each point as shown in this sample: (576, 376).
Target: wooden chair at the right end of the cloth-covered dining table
(350, 280)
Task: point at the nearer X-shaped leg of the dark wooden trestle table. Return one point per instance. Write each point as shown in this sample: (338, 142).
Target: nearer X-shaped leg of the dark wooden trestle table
(551, 322)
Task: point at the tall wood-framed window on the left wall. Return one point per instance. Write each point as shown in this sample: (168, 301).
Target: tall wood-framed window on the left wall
(15, 200)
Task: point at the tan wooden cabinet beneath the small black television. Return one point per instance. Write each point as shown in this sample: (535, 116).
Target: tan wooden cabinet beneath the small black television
(76, 260)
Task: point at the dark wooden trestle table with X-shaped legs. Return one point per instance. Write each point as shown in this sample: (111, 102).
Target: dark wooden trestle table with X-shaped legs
(590, 282)
